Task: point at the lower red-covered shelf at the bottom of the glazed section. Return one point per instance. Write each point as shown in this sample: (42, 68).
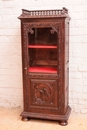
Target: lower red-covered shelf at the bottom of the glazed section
(42, 70)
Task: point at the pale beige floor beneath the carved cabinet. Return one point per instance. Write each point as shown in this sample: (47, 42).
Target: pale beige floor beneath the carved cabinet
(10, 120)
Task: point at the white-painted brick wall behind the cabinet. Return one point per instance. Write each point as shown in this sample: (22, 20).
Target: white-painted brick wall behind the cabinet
(10, 50)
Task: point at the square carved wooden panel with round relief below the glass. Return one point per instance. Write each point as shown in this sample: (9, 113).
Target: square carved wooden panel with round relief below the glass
(43, 92)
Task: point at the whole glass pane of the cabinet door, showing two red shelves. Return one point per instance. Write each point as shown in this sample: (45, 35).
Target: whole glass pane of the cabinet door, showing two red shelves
(42, 49)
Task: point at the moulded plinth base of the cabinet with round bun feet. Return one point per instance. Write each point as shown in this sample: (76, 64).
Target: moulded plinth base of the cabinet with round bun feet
(61, 118)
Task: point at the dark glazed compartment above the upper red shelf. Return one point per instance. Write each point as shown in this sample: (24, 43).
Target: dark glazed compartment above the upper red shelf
(42, 36)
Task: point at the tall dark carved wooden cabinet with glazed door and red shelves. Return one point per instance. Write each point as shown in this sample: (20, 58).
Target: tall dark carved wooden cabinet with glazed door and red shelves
(45, 63)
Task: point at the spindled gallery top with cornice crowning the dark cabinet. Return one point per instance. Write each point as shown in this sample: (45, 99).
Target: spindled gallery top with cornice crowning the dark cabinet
(44, 13)
